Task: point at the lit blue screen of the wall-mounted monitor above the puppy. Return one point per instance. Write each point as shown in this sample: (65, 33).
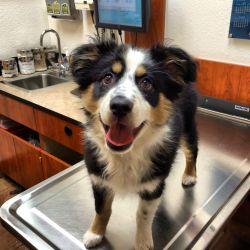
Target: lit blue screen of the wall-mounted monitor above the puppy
(120, 12)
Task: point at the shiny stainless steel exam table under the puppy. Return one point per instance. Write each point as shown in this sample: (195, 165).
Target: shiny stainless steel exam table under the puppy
(55, 213)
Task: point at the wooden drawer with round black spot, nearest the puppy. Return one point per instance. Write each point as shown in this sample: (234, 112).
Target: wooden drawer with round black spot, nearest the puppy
(59, 130)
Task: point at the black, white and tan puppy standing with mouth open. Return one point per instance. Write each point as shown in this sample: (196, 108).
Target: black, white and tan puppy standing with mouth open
(139, 106)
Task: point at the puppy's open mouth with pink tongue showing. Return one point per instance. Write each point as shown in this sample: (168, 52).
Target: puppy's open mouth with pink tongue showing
(120, 137)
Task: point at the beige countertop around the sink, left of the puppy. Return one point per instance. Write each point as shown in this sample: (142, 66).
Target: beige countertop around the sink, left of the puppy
(57, 98)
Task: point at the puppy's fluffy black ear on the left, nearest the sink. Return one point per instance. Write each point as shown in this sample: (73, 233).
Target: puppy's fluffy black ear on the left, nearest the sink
(84, 59)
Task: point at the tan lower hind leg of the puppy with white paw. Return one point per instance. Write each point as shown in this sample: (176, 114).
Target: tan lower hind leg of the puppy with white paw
(189, 175)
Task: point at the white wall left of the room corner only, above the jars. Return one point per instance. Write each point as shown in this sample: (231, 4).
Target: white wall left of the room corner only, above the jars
(22, 22)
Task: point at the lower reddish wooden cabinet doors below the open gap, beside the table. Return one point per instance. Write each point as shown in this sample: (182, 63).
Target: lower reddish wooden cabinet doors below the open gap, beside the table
(25, 163)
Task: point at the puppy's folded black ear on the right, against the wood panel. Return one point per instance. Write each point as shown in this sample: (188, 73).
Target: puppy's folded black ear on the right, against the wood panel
(180, 66)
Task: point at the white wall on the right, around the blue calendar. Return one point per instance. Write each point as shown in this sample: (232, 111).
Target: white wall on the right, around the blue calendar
(201, 27)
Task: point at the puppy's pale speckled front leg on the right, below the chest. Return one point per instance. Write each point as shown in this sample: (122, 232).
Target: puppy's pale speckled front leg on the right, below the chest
(144, 219)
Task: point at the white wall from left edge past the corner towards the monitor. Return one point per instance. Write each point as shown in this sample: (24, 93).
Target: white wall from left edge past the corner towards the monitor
(22, 23)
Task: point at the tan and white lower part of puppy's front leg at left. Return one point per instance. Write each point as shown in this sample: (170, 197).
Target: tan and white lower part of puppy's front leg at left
(98, 227)
